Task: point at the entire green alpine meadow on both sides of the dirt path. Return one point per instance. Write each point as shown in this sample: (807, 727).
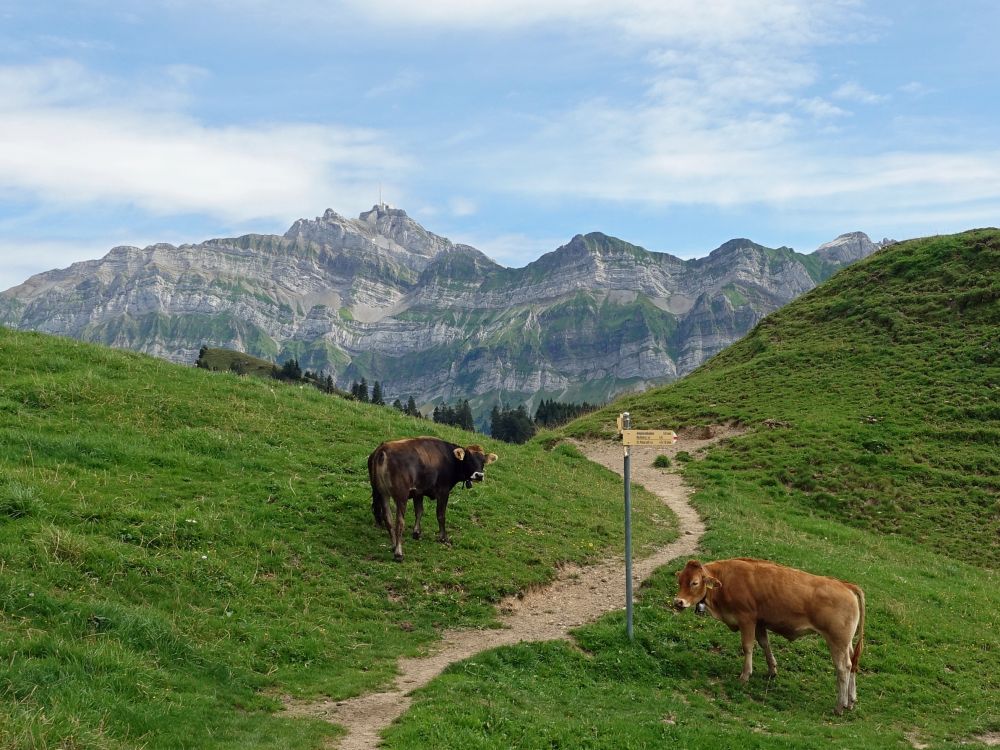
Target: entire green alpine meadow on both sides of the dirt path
(179, 548)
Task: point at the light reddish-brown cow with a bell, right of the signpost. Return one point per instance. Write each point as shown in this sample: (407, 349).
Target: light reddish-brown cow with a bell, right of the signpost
(754, 596)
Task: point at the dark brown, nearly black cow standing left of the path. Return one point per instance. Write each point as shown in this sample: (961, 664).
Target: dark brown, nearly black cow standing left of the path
(415, 467)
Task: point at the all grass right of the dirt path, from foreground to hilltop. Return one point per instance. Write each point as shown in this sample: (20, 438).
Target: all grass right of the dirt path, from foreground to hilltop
(886, 475)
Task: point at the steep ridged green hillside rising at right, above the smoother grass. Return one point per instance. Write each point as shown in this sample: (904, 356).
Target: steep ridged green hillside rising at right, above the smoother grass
(884, 386)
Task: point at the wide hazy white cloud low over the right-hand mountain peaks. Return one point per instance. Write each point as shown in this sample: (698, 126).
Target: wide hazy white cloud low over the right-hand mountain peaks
(645, 158)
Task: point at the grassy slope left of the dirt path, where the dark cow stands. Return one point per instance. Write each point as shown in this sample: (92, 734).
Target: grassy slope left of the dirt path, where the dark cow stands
(177, 545)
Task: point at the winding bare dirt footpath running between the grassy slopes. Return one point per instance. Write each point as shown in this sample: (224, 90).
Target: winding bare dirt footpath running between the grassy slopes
(578, 595)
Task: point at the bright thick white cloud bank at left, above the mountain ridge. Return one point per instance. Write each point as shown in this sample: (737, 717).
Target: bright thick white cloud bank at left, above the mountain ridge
(63, 149)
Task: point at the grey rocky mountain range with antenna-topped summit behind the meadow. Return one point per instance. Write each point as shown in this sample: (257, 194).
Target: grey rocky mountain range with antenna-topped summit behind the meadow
(383, 298)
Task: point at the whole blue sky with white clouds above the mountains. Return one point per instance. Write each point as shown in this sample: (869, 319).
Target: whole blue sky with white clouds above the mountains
(509, 125)
